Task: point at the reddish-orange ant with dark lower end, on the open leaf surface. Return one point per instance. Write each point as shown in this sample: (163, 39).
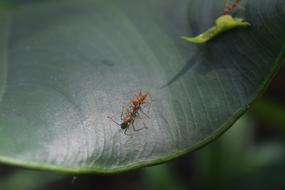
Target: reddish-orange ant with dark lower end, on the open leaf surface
(132, 113)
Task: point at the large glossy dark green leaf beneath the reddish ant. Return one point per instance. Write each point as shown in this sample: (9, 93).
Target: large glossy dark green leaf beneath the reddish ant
(67, 65)
